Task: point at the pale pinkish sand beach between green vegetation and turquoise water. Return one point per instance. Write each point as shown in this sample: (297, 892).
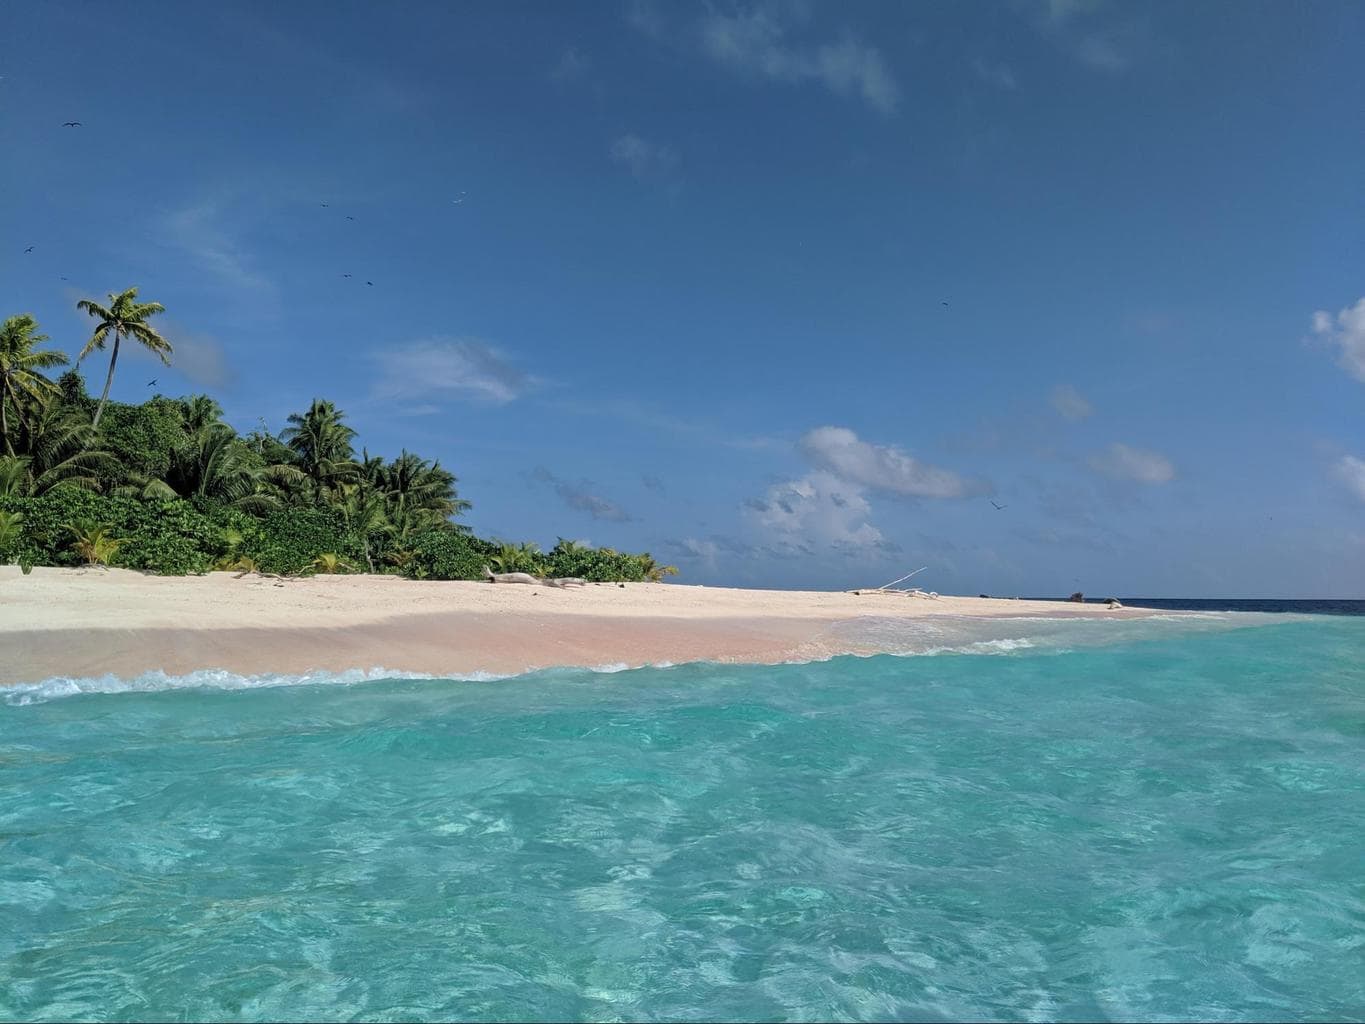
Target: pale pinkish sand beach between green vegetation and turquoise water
(81, 623)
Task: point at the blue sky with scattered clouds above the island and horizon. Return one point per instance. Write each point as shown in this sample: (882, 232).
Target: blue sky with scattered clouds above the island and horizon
(788, 294)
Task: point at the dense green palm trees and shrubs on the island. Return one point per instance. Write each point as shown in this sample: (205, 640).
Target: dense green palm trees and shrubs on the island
(167, 487)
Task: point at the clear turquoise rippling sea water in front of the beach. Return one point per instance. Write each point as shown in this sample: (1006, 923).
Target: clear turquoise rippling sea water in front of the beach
(1172, 828)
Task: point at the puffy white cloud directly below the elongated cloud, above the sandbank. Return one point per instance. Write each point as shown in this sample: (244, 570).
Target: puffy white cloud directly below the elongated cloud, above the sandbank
(818, 509)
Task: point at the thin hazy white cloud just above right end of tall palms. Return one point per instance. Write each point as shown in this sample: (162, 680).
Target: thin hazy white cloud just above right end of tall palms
(465, 368)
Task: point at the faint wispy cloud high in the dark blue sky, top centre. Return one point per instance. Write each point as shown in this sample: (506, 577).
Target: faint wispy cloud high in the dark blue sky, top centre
(756, 43)
